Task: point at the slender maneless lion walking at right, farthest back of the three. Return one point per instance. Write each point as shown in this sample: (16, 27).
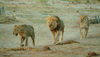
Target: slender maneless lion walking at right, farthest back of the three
(84, 25)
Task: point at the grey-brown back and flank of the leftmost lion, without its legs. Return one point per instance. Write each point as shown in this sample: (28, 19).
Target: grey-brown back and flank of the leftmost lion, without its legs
(24, 29)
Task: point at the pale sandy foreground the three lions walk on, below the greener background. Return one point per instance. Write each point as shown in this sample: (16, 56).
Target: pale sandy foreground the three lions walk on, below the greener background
(9, 44)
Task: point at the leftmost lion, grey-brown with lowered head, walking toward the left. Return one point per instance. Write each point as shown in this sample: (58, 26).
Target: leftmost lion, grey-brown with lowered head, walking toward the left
(24, 31)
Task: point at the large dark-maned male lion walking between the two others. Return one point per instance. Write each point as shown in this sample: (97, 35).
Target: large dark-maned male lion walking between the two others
(56, 26)
